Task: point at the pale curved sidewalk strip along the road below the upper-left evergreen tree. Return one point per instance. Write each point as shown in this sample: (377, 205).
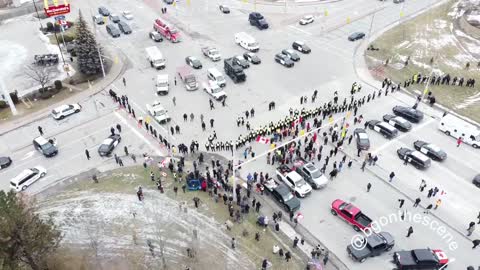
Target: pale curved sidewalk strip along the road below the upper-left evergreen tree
(114, 73)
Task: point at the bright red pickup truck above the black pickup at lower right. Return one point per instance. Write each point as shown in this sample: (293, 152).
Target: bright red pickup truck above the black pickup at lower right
(350, 214)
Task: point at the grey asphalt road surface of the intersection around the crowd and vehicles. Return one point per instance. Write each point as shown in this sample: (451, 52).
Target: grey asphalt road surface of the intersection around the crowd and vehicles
(328, 68)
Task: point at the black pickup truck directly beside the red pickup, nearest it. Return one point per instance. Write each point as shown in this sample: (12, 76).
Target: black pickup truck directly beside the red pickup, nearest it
(375, 245)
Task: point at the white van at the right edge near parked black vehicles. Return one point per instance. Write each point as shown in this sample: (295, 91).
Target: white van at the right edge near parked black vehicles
(457, 127)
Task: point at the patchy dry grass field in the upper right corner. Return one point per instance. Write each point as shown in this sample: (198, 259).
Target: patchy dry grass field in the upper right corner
(430, 35)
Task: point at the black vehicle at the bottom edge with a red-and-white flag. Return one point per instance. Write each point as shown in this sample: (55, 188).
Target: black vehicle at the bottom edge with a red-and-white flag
(420, 259)
